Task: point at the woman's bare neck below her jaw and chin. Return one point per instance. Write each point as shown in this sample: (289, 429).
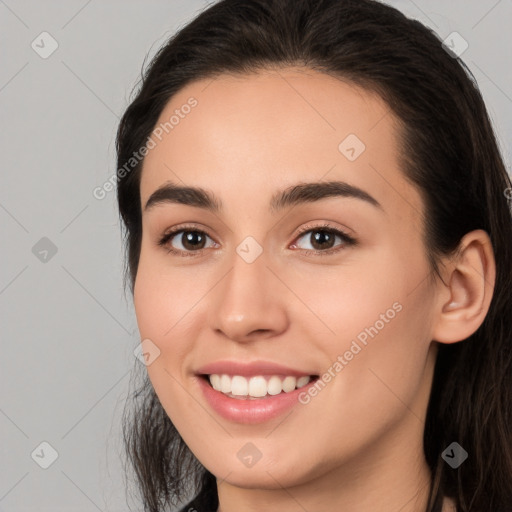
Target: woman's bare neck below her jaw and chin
(389, 477)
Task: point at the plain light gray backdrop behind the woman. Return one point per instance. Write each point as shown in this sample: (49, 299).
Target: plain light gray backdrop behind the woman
(68, 331)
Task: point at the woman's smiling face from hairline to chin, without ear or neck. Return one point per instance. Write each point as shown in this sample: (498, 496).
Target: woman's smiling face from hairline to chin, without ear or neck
(326, 281)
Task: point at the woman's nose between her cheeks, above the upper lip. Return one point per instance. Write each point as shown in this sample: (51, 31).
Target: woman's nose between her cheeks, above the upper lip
(249, 302)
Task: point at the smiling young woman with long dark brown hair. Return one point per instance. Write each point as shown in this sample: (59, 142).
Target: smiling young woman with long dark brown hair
(319, 248)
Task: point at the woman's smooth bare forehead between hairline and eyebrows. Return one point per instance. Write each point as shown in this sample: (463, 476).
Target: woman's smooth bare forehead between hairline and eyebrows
(248, 135)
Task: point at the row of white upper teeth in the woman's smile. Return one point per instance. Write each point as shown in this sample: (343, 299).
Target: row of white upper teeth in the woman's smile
(257, 386)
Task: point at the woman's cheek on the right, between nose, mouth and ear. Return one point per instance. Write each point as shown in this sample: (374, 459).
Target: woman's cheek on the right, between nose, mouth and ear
(377, 317)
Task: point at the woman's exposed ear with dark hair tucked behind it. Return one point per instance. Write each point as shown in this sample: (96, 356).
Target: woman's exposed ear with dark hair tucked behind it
(465, 295)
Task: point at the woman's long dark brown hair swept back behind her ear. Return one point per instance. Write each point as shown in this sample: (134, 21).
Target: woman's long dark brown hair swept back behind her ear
(448, 151)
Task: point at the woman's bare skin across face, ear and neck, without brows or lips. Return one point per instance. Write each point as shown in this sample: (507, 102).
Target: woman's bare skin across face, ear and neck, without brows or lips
(248, 137)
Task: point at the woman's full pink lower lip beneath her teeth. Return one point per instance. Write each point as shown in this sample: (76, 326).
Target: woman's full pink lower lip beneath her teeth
(250, 411)
